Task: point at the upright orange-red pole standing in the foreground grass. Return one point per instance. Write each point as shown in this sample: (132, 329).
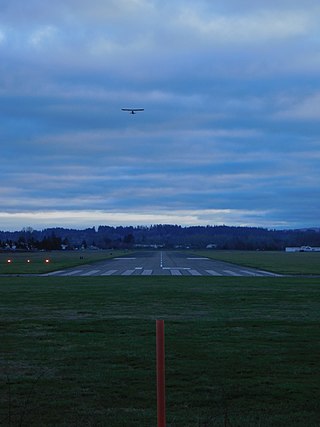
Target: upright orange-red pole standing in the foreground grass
(161, 393)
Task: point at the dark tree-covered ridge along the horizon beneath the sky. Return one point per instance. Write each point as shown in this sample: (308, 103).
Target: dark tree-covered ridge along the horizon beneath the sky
(165, 236)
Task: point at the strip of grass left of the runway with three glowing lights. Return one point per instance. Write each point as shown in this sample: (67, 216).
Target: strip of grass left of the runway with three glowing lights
(36, 262)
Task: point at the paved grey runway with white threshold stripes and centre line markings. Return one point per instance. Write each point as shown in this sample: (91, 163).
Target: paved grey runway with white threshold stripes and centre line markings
(156, 263)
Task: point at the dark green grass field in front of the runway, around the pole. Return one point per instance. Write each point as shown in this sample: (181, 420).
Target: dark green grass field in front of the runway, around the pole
(81, 351)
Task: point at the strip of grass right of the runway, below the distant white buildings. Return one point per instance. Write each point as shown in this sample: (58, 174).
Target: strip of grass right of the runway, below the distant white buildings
(304, 263)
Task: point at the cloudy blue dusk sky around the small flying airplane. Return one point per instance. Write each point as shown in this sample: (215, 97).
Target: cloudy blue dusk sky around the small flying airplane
(230, 133)
